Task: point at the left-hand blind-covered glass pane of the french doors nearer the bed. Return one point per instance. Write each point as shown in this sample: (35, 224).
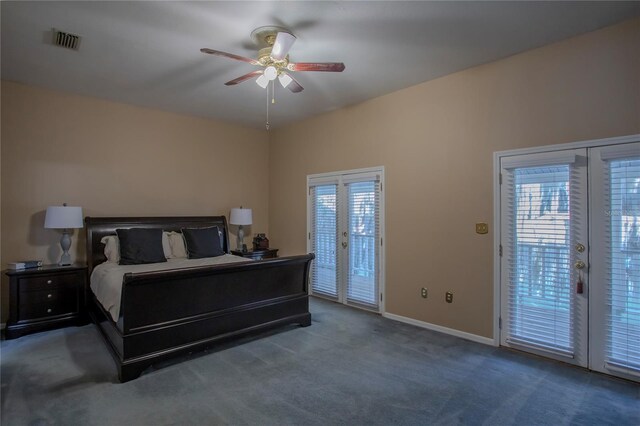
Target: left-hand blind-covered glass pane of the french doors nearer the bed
(324, 269)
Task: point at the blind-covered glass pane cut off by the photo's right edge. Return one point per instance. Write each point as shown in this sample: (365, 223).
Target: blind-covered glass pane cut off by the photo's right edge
(624, 265)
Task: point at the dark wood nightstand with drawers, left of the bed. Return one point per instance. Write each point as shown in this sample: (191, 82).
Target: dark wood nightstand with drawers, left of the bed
(44, 298)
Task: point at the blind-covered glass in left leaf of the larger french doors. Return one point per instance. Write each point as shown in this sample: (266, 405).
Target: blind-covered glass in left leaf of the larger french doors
(540, 308)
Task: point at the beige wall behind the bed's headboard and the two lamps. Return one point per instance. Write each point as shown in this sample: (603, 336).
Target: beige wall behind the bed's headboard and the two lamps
(119, 160)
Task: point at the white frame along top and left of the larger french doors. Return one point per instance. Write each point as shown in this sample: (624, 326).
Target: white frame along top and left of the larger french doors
(497, 157)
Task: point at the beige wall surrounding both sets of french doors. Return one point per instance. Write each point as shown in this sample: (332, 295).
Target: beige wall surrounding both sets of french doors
(436, 142)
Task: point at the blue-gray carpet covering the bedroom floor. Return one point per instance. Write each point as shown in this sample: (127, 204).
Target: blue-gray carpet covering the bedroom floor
(349, 368)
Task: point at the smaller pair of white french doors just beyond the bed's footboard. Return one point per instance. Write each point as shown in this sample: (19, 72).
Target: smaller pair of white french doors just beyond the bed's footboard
(344, 222)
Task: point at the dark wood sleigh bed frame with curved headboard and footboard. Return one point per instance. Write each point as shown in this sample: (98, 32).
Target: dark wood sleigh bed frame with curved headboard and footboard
(165, 314)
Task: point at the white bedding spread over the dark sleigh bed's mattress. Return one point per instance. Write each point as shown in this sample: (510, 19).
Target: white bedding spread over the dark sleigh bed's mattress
(106, 278)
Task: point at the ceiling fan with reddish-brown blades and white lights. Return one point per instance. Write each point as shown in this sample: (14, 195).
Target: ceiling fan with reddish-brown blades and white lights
(274, 44)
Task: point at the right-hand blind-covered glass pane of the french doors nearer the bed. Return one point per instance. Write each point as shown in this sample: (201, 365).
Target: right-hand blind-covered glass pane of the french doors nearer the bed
(363, 206)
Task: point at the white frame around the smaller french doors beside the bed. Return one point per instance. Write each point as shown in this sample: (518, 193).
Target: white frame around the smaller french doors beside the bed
(381, 267)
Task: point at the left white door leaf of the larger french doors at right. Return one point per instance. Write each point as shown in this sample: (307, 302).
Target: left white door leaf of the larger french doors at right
(543, 228)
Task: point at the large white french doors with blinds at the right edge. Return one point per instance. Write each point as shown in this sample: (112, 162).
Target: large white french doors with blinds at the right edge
(570, 264)
